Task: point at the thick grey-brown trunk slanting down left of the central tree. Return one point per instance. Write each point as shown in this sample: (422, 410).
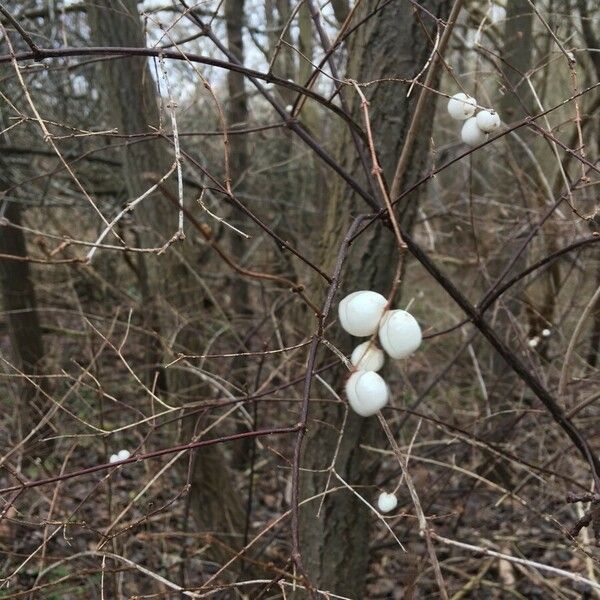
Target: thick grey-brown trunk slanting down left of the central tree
(132, 105)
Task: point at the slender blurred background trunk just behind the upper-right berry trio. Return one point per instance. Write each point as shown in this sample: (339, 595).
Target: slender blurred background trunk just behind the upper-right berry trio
(497, 251)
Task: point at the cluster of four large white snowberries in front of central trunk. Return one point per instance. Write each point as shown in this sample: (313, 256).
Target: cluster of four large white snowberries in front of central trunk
(362, 314)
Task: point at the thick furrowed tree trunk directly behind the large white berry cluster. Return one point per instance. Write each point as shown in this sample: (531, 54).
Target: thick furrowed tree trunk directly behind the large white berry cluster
(334, 546)
